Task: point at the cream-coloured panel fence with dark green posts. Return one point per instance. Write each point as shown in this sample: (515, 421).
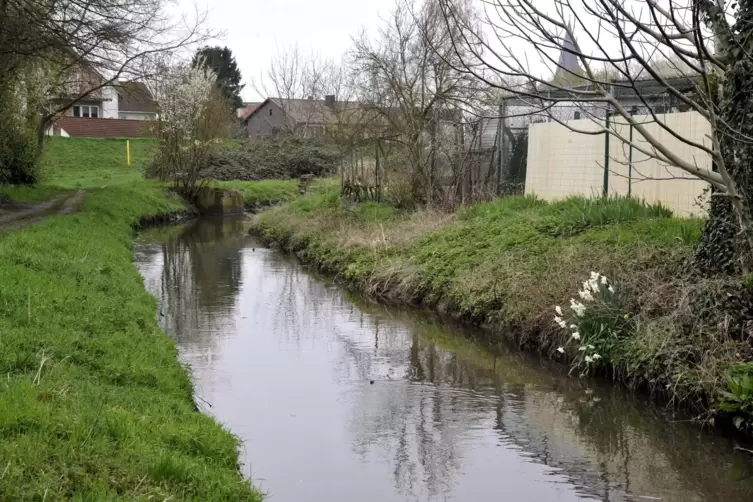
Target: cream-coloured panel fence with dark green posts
(562, 162)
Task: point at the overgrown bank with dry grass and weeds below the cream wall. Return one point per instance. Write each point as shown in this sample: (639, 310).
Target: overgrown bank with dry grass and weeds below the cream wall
(508, 263)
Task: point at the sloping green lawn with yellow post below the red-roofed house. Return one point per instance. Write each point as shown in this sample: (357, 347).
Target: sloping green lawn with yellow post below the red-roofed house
(90, 162)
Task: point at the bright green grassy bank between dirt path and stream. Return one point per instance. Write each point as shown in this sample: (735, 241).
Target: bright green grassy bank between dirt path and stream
(93, 402)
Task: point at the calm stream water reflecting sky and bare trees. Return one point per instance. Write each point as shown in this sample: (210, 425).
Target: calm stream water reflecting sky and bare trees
(286, 361)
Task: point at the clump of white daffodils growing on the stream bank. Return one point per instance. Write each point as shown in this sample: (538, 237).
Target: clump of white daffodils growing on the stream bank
(596, 322)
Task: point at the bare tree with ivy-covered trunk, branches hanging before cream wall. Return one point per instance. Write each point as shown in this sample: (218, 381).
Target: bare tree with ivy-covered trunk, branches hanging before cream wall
(628, 48)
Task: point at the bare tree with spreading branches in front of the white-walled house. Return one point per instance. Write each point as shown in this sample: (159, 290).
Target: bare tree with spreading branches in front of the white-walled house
(87, 46)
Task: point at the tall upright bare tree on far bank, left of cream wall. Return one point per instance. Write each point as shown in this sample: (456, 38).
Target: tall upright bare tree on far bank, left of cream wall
(410, 75)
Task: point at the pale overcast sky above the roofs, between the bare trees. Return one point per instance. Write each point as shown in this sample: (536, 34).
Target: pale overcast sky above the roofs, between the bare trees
(256, 30)
